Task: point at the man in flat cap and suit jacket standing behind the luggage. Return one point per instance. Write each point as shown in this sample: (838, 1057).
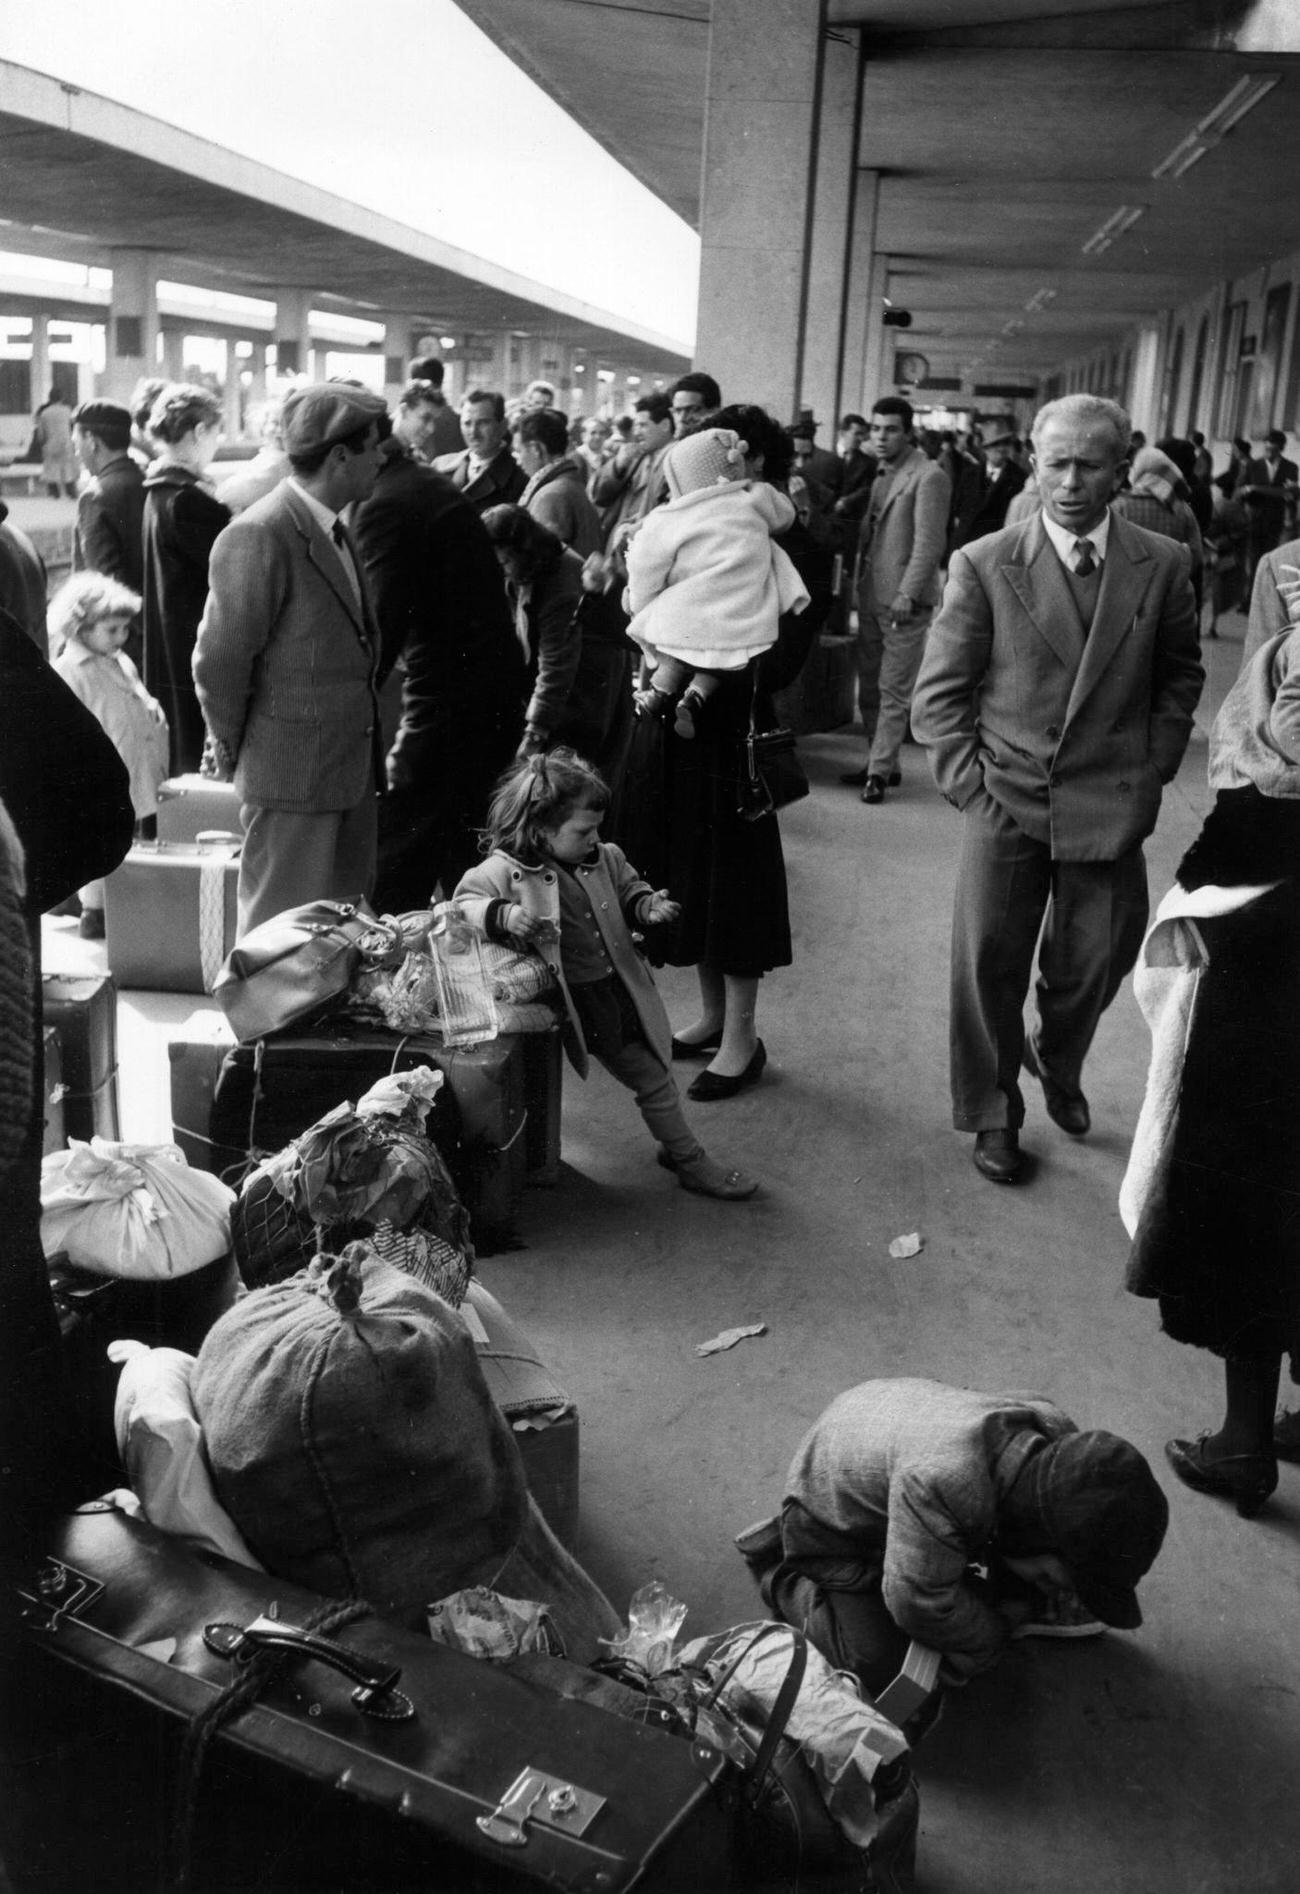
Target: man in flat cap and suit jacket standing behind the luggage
(285, 664)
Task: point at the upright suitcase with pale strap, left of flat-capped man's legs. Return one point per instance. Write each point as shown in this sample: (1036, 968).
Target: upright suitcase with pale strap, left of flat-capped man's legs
(170, 916)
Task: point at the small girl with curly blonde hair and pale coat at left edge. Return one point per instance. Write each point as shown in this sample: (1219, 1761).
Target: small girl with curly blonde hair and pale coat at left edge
(90, 620)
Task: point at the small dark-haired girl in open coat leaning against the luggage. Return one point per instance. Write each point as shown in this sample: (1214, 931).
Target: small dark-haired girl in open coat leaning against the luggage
(552, 887)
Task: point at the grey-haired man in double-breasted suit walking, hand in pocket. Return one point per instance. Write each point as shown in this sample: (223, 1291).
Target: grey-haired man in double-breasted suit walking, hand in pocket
(1056, 702)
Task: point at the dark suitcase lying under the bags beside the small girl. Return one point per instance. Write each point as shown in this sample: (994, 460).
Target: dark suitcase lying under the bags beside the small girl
(232, 1099)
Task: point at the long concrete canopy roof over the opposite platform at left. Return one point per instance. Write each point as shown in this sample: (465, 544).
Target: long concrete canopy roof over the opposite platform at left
(84, 177)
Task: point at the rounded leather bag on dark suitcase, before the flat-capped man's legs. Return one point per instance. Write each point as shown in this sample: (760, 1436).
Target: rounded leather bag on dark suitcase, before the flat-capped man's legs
(300, 965)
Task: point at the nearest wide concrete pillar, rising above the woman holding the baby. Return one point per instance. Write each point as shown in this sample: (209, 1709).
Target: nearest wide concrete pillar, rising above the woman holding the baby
(757, 194)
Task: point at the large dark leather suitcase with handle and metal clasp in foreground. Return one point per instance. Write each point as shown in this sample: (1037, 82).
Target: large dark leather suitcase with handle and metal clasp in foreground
(496, 1781)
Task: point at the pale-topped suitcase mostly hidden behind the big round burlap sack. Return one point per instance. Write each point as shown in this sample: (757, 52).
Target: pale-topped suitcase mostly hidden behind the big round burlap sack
(541, 1416)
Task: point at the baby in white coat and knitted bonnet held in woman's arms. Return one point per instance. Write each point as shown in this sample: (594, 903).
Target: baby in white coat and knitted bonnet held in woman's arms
(706, 584)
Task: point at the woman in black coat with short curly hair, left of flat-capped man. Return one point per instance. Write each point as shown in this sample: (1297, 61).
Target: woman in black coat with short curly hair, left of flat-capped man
(183, 518)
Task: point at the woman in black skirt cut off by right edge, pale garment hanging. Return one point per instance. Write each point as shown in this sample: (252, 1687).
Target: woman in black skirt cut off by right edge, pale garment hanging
(1210, 1196)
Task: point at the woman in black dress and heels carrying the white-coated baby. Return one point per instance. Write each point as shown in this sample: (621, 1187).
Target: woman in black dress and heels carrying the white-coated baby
(681, 817)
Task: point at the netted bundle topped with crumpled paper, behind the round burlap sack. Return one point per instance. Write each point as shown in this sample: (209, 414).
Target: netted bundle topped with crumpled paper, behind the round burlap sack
(361, 1171)
